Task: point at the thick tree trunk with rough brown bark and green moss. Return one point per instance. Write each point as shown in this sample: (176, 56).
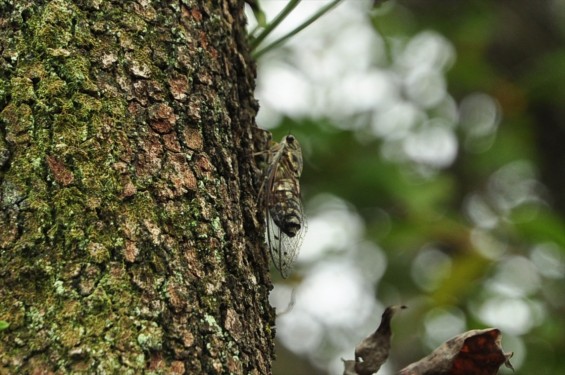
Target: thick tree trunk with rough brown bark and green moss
(129, 239)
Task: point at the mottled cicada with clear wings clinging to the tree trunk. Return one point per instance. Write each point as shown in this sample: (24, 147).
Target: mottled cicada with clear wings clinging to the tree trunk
(280, 192)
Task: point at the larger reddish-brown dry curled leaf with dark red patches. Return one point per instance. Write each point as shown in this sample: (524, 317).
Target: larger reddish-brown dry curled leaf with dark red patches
(477, 352)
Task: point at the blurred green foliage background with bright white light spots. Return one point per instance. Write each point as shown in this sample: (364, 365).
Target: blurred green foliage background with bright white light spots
(434, 142)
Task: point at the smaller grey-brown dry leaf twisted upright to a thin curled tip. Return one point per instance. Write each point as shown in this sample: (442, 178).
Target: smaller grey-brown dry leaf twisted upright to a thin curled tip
(373, 351)
